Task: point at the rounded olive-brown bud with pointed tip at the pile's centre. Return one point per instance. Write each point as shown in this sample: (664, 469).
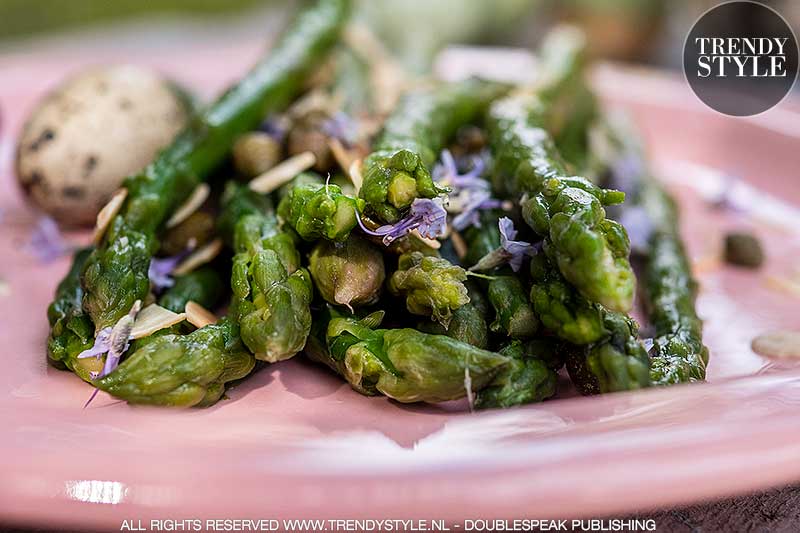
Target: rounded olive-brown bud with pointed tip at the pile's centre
(349, 273)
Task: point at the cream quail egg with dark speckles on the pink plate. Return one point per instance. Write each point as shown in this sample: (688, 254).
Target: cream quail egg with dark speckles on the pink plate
(84, 138)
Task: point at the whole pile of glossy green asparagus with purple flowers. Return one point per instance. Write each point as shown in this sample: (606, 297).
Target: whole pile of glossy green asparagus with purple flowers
(467, 256)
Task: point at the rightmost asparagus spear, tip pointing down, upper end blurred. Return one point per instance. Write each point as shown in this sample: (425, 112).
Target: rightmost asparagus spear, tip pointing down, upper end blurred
(679, 355)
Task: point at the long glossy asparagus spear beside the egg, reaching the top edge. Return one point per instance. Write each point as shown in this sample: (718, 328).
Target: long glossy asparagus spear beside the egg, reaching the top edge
(116, 274)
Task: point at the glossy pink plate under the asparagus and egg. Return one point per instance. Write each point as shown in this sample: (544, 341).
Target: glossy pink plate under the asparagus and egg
(294, 441)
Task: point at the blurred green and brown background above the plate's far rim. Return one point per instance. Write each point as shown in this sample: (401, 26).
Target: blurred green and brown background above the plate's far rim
(645, 31)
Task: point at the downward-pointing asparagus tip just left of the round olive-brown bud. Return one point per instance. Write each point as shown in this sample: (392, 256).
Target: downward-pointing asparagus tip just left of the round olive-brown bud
(271, 292)
